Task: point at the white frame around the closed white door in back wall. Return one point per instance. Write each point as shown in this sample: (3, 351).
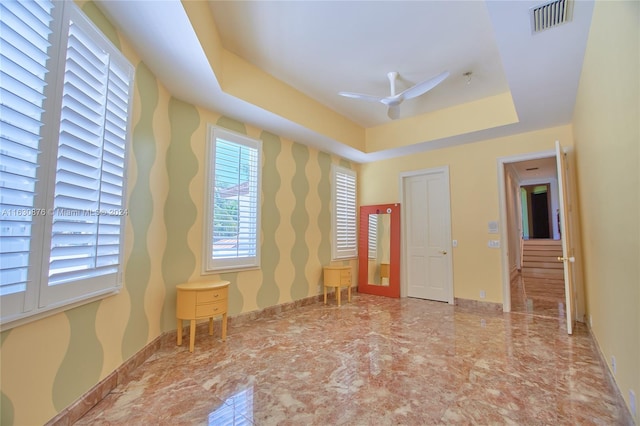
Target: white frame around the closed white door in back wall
(404, 290)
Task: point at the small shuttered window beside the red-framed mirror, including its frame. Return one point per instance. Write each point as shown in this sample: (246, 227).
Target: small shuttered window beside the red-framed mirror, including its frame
(345, 238)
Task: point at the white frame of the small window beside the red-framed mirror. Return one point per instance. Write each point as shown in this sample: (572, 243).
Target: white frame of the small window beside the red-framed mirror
(350, 250)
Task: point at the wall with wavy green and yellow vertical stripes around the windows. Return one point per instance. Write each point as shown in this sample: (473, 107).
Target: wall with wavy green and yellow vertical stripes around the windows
(48, 364)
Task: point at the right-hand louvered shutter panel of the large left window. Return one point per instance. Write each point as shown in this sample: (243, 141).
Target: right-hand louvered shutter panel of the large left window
(78, 173)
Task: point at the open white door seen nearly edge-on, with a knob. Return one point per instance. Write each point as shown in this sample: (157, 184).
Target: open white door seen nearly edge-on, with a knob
(565, 229)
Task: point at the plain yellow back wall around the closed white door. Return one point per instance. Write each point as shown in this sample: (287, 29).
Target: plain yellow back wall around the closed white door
(473, 174)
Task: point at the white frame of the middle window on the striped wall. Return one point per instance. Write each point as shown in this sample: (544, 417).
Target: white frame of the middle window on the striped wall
(210, 265)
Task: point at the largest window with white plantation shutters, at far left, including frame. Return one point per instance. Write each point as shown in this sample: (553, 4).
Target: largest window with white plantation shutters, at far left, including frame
(65, 102)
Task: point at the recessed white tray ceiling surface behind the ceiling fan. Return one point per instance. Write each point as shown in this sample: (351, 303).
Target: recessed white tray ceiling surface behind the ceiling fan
(321, 48)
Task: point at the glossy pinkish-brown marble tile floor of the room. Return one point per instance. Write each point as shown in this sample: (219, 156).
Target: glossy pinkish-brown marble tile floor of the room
(374, 361)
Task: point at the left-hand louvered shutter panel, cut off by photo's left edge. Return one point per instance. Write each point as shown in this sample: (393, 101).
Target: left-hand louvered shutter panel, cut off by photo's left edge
(24, 42)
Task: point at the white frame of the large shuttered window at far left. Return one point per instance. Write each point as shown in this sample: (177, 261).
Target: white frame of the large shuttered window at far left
(40, 299)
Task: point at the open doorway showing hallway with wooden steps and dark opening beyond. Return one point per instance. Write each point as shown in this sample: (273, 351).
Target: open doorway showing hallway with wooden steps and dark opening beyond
(533, 235)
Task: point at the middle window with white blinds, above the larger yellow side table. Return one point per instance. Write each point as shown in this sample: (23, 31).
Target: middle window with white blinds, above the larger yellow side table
(232, 239)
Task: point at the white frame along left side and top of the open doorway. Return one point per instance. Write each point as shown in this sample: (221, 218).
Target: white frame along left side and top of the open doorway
(504, 234)
